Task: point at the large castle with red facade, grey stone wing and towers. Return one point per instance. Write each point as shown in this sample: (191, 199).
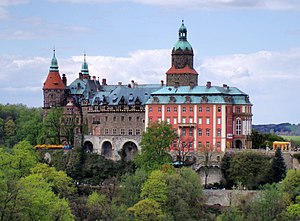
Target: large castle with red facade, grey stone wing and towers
(110, 119)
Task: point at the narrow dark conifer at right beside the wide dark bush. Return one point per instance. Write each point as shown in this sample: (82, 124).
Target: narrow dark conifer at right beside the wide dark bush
(278, 168)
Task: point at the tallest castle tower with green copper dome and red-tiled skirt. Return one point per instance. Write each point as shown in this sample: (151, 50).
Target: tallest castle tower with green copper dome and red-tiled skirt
(182, 72)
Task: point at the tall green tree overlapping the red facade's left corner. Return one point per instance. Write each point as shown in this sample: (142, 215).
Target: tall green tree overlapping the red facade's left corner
(154, 145)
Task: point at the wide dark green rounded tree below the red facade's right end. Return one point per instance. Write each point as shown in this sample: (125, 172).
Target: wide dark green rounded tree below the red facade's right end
(249, 168)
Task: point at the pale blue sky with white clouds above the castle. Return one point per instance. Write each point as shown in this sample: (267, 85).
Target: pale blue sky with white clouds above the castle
(250, 44)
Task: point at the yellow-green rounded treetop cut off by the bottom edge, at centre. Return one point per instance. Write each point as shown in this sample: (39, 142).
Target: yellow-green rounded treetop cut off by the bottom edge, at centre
(147, 210)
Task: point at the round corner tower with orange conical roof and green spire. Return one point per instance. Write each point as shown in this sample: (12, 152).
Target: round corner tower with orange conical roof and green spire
(54, 87)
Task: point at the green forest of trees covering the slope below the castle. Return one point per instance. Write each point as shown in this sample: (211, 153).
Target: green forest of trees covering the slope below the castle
(75, 185)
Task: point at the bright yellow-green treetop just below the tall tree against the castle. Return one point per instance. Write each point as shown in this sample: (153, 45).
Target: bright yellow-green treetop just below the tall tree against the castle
(155, 187)
